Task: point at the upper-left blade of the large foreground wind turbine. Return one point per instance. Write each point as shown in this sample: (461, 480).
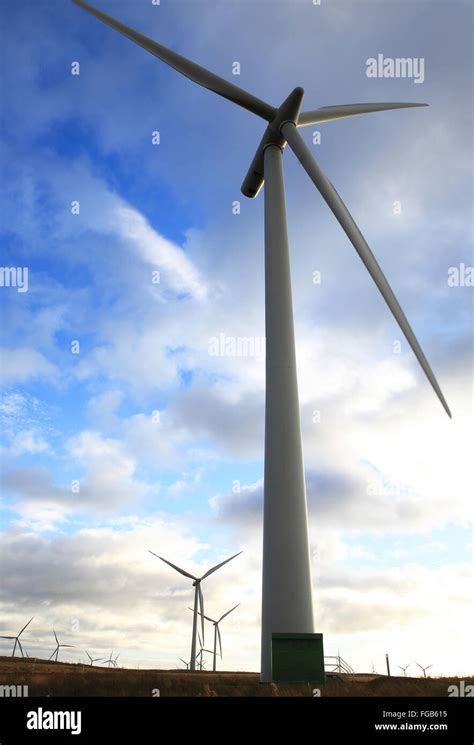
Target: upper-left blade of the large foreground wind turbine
(194, 72)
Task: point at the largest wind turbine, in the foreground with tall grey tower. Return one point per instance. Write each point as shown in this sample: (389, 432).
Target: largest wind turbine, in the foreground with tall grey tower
(286, 584)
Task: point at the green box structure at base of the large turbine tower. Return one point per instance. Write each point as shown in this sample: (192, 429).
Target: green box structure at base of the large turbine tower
(298, 658)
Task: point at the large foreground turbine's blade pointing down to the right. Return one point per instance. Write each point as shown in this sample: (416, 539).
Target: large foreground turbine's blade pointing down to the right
(349, 226)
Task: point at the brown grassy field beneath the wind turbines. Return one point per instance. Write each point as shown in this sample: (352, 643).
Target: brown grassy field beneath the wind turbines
(63, 679)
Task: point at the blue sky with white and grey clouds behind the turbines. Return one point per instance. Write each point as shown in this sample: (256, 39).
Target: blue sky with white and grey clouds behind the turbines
(122, 431)
